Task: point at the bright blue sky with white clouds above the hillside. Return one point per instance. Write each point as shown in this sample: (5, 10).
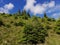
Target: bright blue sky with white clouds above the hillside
(35, 7)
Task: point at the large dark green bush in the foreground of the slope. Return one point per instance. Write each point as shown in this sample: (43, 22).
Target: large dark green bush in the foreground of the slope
(34, 34)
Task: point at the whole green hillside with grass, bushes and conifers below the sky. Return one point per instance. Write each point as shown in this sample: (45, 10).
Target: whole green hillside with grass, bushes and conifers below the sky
(21, 29)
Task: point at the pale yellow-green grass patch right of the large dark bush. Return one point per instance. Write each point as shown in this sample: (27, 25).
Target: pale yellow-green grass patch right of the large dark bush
(53, 39)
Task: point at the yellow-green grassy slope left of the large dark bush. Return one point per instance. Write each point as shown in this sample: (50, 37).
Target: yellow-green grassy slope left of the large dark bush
(11, 35)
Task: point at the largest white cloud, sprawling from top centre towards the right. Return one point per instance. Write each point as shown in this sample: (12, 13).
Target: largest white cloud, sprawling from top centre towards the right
(38, 8)
